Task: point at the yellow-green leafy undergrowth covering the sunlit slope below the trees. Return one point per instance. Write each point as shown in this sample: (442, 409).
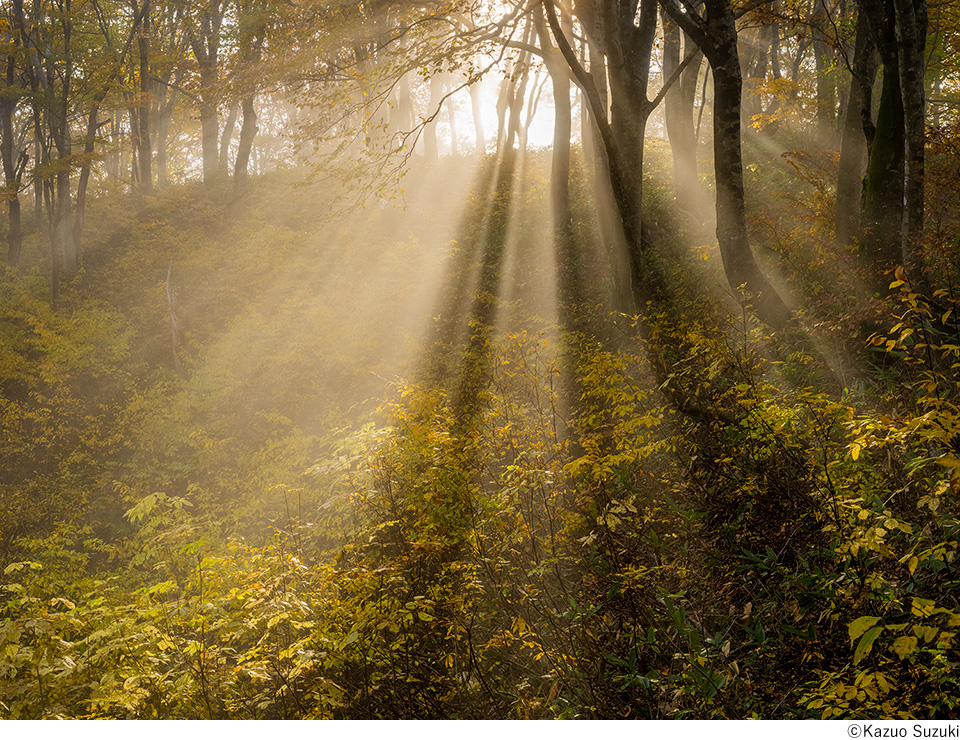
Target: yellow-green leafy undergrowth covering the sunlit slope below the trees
(525, 528)
